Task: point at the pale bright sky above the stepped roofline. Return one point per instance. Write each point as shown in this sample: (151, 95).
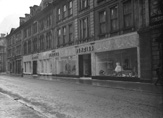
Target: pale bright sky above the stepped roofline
(11, 10)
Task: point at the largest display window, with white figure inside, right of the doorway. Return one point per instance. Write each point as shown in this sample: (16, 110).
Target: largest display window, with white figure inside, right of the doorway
(118, 63)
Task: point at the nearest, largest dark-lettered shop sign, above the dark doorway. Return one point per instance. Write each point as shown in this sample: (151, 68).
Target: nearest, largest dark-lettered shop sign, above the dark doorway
(85, 49)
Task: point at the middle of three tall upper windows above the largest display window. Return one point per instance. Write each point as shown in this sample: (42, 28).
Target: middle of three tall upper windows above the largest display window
(114, 18)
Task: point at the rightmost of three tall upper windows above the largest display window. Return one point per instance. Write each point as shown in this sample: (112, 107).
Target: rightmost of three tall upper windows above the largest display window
(127, 14)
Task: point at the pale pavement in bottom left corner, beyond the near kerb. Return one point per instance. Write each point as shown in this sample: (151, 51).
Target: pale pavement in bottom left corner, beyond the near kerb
(10, 108)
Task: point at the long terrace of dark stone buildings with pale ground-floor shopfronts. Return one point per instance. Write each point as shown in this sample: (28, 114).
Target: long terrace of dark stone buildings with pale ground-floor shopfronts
(87, 38)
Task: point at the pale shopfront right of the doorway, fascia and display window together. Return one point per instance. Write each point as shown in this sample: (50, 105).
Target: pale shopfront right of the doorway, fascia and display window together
(109, 52)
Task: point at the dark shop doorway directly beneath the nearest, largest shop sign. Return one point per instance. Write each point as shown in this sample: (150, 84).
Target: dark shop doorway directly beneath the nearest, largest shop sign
(85, 65)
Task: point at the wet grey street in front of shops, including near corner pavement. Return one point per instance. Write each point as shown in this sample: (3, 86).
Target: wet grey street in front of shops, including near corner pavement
(57, 99)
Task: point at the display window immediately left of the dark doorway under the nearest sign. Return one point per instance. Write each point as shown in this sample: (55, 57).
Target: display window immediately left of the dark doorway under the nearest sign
(67, 66)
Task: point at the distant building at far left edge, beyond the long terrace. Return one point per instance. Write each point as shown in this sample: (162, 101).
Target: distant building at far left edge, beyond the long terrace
(2, 53)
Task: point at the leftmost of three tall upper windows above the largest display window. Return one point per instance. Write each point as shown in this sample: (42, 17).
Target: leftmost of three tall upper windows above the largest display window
(102, 20)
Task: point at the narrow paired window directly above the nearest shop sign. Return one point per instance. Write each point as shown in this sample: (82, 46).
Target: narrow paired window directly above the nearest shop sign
(84, 28)
